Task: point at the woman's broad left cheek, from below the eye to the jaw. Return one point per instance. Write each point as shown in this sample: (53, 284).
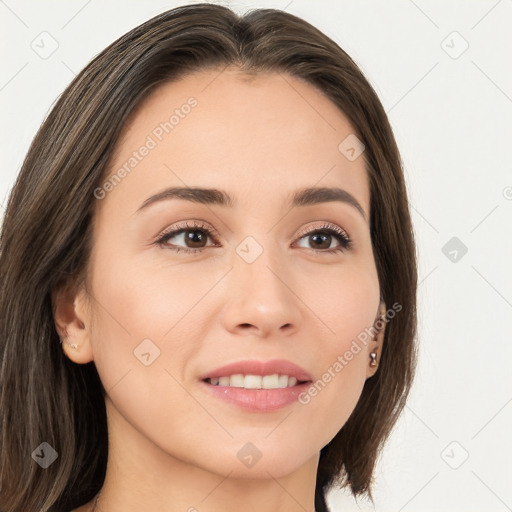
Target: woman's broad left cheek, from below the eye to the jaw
(140, 311)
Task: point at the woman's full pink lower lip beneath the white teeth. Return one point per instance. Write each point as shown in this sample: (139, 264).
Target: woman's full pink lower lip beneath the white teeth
(259, 400)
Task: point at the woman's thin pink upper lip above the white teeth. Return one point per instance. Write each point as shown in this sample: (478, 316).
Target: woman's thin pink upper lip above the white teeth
(254, 367)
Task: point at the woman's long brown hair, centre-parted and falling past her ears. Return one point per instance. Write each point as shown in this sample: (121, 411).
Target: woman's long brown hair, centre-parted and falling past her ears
(46, 241)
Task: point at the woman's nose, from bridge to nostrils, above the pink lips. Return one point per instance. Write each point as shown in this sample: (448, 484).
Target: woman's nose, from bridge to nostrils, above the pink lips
(261, 299)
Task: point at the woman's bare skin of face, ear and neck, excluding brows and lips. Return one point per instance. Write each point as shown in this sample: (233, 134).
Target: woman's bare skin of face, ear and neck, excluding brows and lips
(173, 445)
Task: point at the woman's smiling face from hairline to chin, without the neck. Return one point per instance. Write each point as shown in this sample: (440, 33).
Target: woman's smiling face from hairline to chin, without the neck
(255, 278)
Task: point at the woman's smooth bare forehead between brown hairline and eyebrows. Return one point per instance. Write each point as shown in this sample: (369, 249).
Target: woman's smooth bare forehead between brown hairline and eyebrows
(257, 136)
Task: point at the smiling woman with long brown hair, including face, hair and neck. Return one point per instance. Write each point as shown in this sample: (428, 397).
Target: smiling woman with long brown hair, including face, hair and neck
(213, 223)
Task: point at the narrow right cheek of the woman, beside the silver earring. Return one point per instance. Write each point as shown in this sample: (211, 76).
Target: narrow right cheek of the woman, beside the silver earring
(348, 307)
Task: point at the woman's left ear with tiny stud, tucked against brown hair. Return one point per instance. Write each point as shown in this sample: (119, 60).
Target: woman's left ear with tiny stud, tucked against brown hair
(70, 314)
